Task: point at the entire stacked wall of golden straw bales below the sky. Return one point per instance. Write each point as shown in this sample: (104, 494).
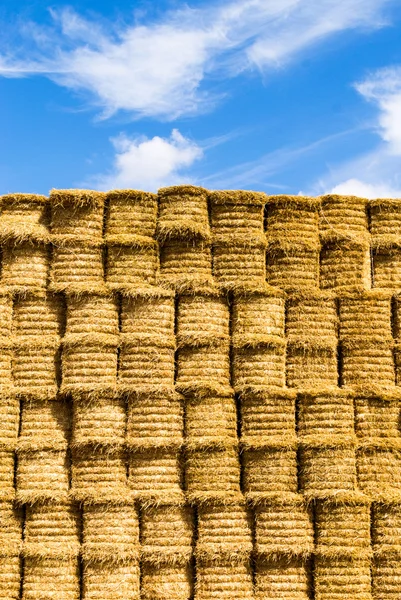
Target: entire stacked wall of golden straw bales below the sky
(199, 396)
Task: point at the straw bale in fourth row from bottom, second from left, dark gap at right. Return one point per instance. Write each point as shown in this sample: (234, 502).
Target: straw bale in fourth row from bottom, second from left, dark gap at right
(44, 424)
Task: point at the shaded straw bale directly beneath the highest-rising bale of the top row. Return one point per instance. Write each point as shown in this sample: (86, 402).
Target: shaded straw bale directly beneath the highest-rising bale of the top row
(185, 264)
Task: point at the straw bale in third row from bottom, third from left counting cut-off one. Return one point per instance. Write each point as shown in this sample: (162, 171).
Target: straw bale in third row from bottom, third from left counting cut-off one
(99, 475)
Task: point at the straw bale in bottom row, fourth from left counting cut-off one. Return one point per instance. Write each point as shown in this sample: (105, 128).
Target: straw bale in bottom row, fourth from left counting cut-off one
(166, 582)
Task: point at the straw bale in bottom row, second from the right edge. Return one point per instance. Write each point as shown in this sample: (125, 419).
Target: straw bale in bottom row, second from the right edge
(342, 578)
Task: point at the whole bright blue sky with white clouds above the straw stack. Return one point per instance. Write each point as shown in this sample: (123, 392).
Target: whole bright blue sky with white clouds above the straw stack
(282, 96)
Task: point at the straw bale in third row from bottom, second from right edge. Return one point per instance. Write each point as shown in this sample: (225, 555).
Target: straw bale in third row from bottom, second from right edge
(327, 471)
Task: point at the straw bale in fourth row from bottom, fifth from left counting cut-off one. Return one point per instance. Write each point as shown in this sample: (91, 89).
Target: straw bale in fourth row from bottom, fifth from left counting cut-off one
(210, 421)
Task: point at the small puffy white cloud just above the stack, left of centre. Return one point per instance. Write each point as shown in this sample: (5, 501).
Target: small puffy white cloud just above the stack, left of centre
(148, 164)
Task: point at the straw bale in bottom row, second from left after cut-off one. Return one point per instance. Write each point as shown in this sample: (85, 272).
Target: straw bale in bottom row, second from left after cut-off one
(51, 579)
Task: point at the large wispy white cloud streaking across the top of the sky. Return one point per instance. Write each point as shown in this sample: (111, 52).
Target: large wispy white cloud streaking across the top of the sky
(158, 69)
